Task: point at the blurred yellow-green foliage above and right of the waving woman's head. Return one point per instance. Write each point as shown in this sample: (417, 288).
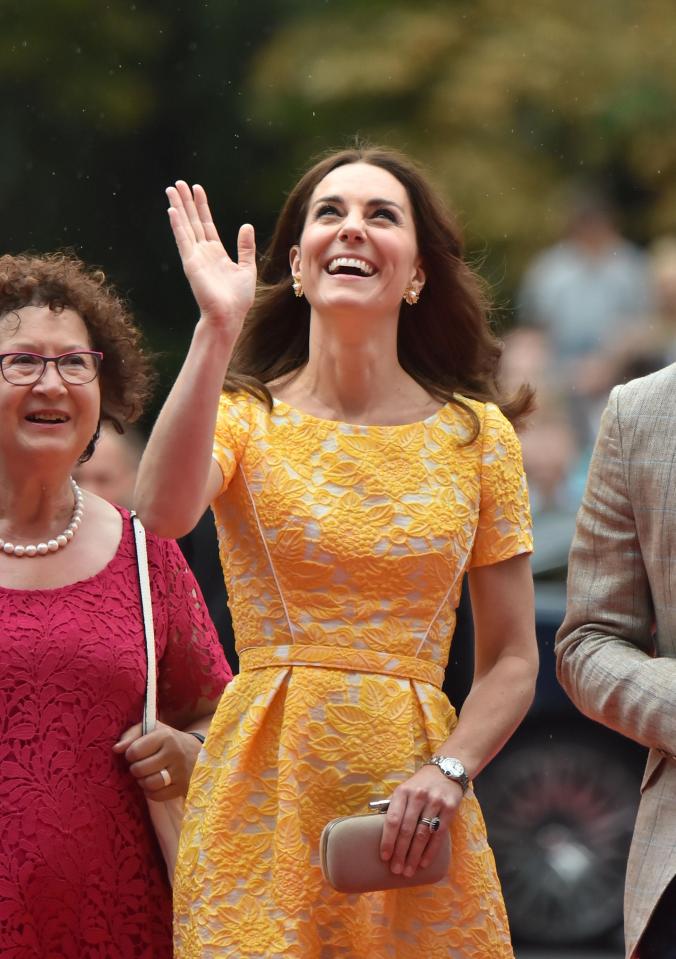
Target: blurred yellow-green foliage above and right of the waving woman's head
(502, 104)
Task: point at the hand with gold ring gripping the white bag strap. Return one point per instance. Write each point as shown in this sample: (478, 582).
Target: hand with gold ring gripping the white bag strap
(161, 761)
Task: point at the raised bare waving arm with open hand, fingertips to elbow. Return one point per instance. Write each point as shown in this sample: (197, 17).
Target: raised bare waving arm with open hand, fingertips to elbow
(177, 477)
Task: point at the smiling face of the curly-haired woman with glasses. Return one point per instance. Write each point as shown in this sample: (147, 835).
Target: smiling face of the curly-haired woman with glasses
(50, 419)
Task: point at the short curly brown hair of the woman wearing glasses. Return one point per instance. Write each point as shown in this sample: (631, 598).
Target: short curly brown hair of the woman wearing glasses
(62, 281)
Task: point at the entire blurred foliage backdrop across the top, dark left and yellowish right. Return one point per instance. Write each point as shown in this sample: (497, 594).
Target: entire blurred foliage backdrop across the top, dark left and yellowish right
(103, 104)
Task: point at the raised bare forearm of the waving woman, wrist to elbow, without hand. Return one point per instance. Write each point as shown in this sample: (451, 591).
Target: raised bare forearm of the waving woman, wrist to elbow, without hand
(170, 493)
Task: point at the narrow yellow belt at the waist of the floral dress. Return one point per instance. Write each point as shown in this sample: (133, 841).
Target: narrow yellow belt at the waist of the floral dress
(342, 657)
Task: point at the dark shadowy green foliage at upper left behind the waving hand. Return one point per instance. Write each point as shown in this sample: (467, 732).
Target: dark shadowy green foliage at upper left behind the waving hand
(102, 106)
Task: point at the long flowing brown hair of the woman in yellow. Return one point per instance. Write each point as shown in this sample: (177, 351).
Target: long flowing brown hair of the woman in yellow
(444, 342)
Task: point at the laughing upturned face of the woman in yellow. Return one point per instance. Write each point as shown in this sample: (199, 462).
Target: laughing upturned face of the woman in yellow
(358, 249)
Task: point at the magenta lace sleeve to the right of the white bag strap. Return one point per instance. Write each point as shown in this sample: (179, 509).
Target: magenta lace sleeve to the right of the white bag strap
(192, 665)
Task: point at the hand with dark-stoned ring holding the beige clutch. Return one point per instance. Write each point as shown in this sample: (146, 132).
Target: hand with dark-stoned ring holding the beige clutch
(420, 809)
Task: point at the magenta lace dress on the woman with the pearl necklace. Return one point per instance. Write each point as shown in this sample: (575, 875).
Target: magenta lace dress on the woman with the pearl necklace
(81, 876)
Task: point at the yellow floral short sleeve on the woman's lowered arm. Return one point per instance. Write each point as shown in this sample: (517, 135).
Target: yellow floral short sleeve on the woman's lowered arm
(504, 527)
